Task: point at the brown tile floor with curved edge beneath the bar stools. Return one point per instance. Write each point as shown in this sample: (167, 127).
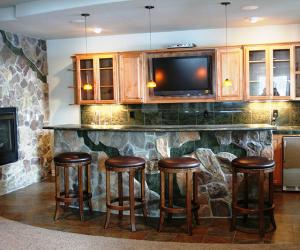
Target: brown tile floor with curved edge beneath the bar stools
(34, 205)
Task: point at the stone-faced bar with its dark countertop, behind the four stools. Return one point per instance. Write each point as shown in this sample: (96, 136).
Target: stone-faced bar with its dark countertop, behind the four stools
(214, 146)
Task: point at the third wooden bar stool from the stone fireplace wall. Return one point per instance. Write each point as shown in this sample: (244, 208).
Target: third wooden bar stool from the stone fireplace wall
(170, 166)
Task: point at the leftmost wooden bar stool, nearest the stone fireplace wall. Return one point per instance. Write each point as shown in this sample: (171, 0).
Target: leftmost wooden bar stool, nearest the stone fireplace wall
(65, 161)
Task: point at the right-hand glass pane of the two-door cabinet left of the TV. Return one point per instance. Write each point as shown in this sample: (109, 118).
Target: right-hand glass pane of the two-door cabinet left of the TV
(106, 79)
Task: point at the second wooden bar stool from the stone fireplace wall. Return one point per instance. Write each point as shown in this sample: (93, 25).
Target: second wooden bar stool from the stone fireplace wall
(121, 164)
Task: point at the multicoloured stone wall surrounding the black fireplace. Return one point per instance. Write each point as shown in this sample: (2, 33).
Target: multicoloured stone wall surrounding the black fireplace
(23, 70)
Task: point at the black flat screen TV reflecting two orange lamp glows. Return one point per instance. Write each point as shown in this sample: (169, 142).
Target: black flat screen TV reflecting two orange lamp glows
(183, 76)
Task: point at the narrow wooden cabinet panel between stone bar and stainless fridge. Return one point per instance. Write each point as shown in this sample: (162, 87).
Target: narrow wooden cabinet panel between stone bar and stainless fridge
(277, 156)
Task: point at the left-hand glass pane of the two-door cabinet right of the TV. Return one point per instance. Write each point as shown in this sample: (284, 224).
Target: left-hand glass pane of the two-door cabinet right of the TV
(257, 73)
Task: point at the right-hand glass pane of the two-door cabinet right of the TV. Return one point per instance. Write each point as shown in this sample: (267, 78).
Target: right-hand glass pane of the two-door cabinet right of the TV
(281, 72)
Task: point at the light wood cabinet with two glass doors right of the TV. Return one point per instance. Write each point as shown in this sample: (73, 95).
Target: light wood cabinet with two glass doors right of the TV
(269, 72)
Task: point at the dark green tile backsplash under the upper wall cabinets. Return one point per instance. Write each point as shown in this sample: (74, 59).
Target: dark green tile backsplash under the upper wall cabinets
(192, 113)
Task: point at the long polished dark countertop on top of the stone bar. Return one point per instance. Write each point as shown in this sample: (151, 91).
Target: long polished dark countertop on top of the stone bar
(162, 128)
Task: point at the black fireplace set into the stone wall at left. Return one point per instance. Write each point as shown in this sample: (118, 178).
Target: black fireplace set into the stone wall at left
(8, 135)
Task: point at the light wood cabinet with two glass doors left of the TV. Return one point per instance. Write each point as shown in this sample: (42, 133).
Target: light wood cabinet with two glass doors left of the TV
(96, 77)
